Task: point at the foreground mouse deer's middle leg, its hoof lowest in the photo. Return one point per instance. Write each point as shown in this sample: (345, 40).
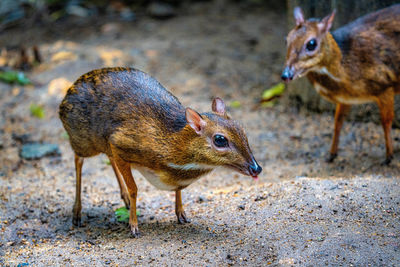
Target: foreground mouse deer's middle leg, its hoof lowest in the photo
(125, 169)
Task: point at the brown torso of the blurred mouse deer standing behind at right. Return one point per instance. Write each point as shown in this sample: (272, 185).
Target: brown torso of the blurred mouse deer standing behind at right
(370, 47)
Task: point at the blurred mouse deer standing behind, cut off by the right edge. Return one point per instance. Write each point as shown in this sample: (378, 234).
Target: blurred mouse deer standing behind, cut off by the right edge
(356, 64)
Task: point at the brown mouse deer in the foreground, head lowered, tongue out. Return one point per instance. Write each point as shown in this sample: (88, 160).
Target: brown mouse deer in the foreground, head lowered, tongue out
(129, 116)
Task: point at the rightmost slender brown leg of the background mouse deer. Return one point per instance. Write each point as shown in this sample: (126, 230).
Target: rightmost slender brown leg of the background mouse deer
(386, 106)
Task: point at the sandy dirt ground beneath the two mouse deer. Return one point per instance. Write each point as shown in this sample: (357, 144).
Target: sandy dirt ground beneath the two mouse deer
(302, 211)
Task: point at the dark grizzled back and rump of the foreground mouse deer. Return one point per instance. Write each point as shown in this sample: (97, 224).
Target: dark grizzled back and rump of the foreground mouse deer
(103, 102)
